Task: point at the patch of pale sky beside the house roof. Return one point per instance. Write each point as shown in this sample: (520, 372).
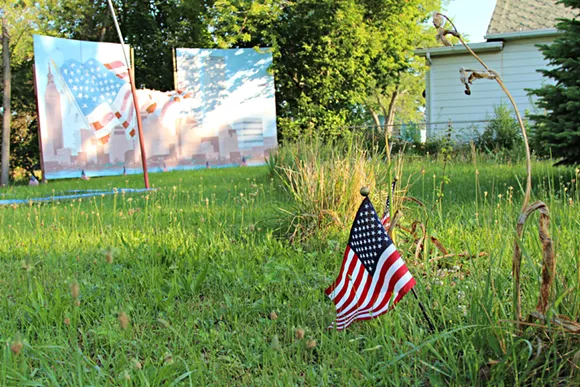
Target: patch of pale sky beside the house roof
(471, 17)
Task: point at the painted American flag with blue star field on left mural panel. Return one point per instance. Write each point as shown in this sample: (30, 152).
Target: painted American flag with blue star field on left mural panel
(103, 94)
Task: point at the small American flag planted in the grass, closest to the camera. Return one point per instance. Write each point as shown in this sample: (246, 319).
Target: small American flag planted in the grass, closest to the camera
(373, 276)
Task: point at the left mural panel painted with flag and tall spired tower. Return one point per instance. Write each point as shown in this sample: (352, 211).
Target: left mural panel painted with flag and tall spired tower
(86, 114)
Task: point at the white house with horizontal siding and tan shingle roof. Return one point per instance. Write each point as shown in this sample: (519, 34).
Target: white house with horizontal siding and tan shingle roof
(516, 27)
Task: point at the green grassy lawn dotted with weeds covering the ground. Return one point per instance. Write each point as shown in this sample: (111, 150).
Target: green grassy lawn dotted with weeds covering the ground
(199, 265)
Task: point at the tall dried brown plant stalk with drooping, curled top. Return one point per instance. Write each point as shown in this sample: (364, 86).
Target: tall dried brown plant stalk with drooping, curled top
(467, 76)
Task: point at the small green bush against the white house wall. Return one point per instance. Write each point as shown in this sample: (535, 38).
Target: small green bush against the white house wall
(502, 132)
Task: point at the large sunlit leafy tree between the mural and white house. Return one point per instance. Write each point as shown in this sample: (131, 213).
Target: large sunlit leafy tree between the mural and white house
(331, 59)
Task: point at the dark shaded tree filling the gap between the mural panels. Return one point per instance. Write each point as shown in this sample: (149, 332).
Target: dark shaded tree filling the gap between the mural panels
(151, 27)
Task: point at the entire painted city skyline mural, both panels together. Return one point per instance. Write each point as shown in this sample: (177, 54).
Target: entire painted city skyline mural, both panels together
(223, 114)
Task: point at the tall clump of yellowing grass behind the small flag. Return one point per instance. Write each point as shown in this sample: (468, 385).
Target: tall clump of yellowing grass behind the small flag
(324, 179)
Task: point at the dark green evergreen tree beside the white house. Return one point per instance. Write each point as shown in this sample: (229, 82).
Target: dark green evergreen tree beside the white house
(558, 130)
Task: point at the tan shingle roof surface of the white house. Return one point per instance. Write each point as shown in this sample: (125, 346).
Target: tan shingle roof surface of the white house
(526, 15)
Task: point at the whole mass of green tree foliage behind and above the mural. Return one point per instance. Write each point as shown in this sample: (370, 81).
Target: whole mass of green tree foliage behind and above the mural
(331, 59)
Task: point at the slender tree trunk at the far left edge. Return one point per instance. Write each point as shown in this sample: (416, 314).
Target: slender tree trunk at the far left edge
(4, 177)
